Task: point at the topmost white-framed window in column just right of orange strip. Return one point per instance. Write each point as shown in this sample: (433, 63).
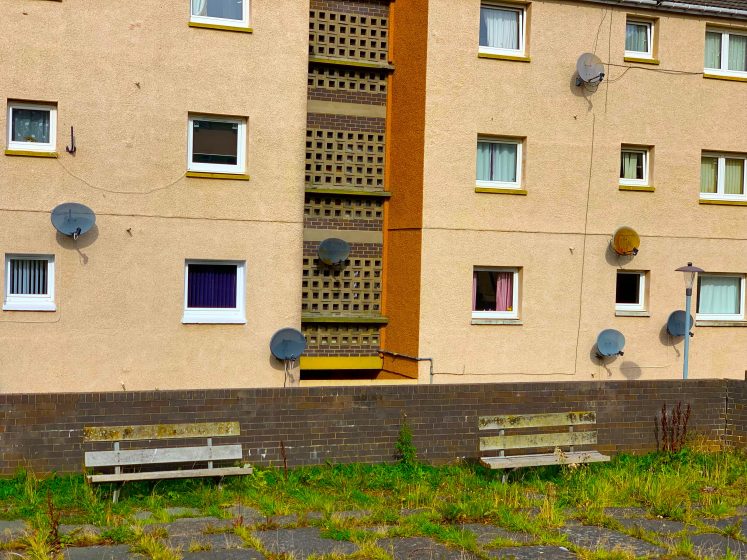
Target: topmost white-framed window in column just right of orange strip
(502, 30)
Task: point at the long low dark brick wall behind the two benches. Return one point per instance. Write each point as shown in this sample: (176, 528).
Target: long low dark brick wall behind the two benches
(342, 424)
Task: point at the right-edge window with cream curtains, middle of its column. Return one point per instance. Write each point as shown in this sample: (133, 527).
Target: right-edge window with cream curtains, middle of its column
(722, 177)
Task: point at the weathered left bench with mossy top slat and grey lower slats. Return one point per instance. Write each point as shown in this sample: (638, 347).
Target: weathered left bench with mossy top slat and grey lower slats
(207, 454)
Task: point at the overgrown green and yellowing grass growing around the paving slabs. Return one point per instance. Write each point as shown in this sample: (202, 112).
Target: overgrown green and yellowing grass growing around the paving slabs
(679, 486)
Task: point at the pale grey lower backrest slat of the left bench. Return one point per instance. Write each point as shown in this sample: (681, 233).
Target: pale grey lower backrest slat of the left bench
(163, 455)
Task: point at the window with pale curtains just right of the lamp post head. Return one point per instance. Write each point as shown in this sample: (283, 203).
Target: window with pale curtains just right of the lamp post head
(720, 297)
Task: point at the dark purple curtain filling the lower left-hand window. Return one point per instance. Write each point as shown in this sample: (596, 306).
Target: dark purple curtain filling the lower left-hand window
(211, 286)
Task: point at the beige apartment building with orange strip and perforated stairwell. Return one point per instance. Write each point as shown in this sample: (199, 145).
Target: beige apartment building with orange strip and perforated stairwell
(470, 185)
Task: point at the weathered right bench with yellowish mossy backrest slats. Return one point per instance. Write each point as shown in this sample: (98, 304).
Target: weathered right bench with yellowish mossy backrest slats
(538, 441)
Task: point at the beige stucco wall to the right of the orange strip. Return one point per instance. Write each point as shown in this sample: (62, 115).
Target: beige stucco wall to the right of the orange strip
(549, 233)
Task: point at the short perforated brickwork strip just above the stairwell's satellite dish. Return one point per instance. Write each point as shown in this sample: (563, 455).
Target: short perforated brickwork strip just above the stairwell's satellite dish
(343, 213)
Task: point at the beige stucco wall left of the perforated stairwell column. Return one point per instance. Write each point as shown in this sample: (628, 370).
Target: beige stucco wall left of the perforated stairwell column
(126, 75)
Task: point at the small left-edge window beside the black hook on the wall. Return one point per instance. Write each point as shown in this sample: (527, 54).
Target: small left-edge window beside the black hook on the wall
(32, 127)
